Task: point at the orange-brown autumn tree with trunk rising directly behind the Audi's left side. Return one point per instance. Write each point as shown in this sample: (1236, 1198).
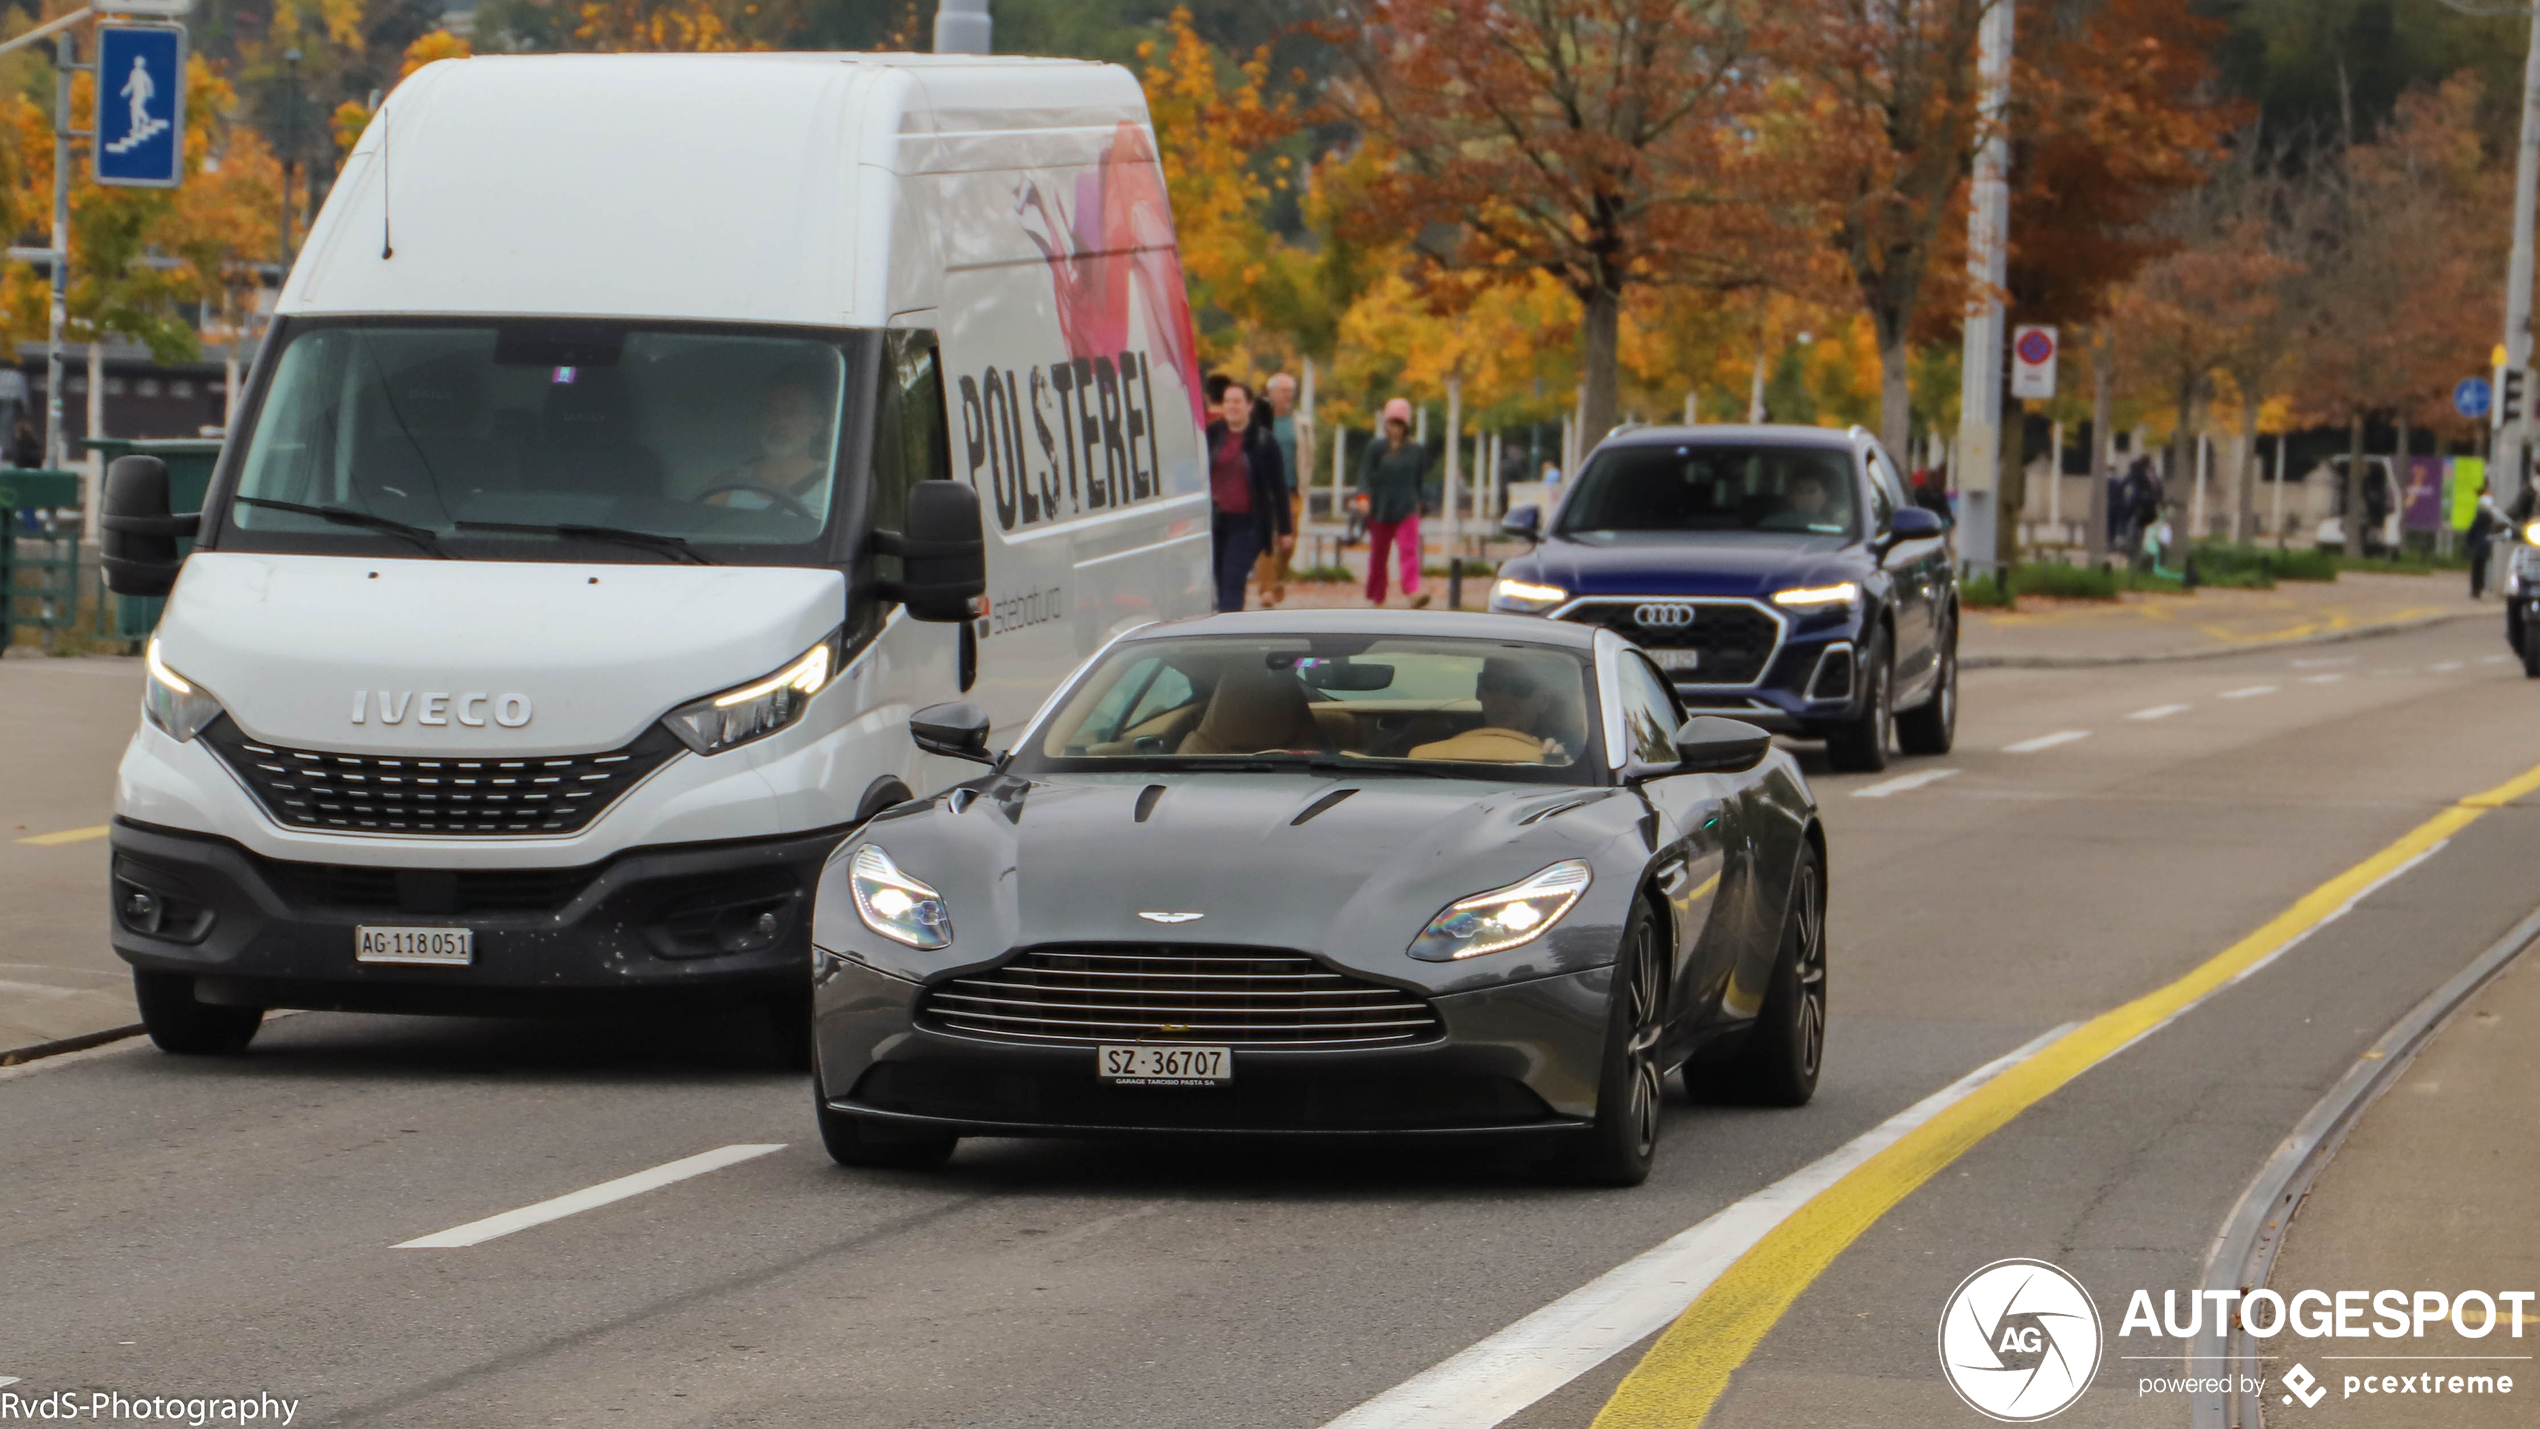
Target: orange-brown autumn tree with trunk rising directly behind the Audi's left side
(1604, 143)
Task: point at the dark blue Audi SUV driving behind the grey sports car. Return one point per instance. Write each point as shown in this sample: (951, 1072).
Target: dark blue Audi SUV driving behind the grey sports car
(1779, 575)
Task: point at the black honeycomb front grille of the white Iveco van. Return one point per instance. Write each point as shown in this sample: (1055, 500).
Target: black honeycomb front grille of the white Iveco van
(436, 796)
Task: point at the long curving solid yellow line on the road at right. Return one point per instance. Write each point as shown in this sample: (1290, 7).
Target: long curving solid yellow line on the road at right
(1690, 1367)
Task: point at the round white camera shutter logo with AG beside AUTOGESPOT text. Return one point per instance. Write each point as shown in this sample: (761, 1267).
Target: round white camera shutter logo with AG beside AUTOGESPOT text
(2021, 1341)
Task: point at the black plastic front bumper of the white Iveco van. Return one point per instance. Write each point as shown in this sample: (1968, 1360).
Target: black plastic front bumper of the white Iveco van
(702, 920)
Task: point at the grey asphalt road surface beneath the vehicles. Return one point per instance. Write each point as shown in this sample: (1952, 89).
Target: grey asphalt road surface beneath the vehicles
(227, 1227)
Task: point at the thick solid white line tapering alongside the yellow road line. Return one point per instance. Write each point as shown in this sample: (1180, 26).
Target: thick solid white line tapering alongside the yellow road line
(1507, 1372)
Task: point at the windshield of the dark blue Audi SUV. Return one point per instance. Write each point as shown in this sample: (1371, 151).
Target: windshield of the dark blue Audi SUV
(1805, 491)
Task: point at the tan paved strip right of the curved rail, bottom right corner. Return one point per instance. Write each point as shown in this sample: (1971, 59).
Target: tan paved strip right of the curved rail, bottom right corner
(2432, 1192)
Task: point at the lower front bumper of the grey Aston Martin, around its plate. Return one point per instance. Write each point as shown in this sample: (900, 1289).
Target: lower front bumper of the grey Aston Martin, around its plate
(1518, 1057)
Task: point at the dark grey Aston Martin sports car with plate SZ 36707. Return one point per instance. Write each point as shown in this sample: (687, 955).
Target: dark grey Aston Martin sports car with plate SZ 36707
(1337, 874)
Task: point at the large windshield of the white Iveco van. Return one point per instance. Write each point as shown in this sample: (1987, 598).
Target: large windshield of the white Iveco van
(545, 440)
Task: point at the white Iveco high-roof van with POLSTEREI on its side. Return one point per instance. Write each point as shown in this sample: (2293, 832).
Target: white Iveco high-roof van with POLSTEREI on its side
(639, 443)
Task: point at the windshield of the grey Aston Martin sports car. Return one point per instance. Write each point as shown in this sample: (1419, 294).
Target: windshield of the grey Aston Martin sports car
(1464, 707)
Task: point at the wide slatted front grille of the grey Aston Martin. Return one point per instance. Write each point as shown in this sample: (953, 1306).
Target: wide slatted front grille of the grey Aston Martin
(1175, 994)
